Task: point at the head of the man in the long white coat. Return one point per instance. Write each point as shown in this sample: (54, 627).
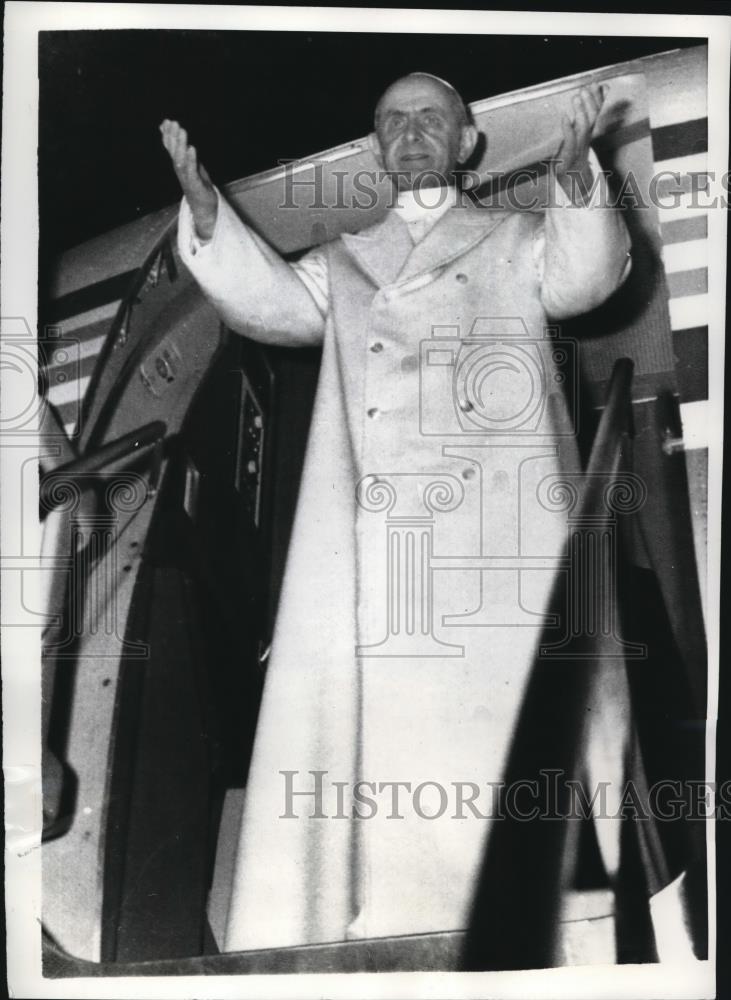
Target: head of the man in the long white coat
(420, 133)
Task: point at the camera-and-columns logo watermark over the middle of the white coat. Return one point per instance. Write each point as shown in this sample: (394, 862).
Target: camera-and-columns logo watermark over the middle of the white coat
(495, 395)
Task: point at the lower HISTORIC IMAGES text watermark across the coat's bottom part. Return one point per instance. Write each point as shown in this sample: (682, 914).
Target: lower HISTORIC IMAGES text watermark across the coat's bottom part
(553, 796)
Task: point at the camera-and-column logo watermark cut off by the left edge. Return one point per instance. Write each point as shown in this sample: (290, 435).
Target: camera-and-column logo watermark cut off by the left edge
(79, 569)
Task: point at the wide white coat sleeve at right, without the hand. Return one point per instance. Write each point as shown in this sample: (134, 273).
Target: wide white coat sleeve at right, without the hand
(582, 252)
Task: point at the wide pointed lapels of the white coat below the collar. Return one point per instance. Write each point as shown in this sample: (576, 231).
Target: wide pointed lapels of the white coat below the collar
(387, 255)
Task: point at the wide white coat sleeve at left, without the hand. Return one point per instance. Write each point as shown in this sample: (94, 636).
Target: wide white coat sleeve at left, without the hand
(253, 290)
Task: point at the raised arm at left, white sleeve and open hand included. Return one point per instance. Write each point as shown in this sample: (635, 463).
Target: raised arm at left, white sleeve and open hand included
(254, 291)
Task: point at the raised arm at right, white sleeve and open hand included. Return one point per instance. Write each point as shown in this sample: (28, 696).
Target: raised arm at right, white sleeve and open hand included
(585, 247)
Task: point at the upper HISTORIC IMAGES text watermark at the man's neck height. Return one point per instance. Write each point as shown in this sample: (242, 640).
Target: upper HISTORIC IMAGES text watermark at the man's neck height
(317, 185)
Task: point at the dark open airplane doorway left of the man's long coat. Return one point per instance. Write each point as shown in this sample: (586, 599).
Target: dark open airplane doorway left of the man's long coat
(204, 605)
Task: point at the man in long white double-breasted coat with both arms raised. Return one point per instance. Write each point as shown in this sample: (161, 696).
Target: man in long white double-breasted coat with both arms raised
(395, 663)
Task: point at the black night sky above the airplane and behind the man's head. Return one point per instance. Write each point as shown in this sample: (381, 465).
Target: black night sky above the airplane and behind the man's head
(248, 99)
